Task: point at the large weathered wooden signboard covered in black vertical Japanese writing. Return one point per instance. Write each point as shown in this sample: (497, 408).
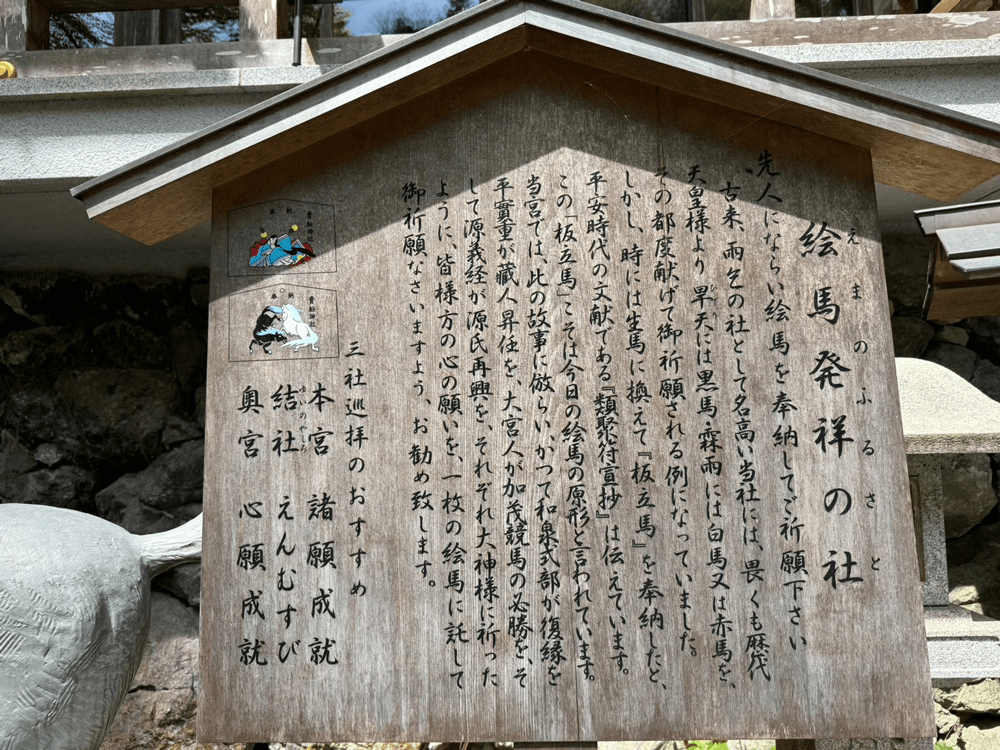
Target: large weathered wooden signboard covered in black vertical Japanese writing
(556, 407)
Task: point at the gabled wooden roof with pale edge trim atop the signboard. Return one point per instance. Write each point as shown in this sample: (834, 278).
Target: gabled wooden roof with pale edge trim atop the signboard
(918, 147)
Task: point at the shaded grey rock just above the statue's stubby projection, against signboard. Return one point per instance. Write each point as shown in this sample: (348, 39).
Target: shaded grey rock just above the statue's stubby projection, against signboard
(169, 490)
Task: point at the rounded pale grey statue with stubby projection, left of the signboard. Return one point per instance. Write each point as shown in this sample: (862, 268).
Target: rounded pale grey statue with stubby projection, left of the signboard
(74, 616)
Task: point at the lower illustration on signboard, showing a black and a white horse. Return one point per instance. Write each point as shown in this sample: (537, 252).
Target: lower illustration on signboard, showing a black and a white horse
(284, 321)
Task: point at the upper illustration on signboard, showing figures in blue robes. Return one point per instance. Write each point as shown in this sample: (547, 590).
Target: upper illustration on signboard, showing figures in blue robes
(282, 236)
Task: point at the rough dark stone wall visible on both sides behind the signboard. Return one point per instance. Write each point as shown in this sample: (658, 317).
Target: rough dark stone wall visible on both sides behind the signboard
(102, 410)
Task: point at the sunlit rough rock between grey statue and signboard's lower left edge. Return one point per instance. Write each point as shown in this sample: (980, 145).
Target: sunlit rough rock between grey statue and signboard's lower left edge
(159, 709)
